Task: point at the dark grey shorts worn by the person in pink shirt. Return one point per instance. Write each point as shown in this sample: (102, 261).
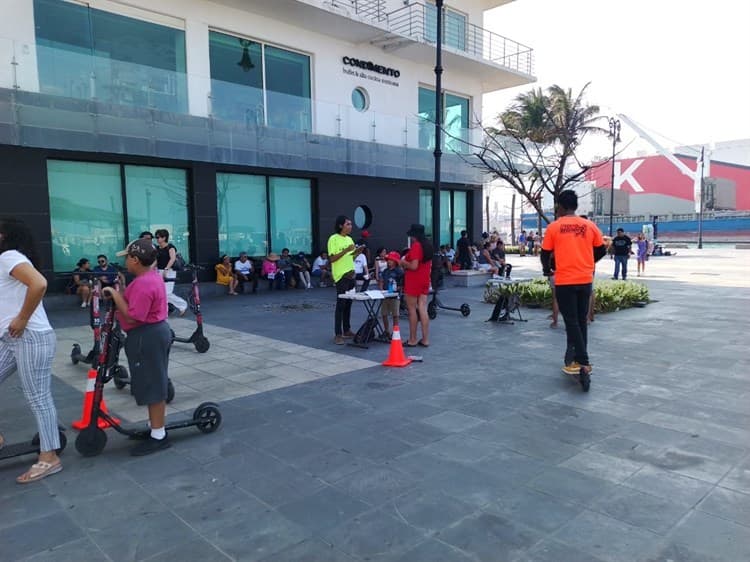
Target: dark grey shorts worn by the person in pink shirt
(147, 348)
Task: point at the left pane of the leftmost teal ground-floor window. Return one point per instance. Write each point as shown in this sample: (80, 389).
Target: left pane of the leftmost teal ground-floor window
(85, 211)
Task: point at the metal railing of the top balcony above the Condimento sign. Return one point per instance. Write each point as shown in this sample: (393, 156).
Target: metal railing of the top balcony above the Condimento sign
(419, 22)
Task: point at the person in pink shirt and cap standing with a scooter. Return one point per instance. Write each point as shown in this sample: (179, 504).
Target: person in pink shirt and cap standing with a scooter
(142, 313)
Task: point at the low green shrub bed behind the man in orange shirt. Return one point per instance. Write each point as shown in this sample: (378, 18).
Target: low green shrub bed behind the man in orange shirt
(608, 295)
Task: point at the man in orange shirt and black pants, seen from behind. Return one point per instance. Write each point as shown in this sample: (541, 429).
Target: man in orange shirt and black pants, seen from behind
(578, 245)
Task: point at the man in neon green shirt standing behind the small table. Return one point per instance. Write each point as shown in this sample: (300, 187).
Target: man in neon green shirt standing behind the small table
(341, 254)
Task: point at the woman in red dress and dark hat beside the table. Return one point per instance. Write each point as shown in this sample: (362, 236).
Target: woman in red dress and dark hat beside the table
(417, 264)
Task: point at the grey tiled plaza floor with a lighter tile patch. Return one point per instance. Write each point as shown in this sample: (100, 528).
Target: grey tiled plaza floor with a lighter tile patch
(482, 452)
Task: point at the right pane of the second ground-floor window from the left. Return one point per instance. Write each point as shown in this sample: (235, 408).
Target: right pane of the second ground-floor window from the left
(291, 214)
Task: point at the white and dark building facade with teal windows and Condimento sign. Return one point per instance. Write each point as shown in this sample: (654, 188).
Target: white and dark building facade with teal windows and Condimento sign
(240, 125)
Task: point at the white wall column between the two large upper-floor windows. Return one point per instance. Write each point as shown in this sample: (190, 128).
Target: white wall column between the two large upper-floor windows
(198, 67)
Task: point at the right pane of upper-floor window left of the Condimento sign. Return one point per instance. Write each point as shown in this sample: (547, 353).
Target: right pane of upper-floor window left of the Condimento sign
(288, 89)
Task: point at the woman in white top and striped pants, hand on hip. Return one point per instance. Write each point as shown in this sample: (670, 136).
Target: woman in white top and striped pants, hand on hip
(27, 341)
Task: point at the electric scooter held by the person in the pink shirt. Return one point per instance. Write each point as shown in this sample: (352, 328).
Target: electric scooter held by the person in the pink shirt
(92, 439)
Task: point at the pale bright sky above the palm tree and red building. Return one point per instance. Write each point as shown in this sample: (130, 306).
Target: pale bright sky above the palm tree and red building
(678, 68)
